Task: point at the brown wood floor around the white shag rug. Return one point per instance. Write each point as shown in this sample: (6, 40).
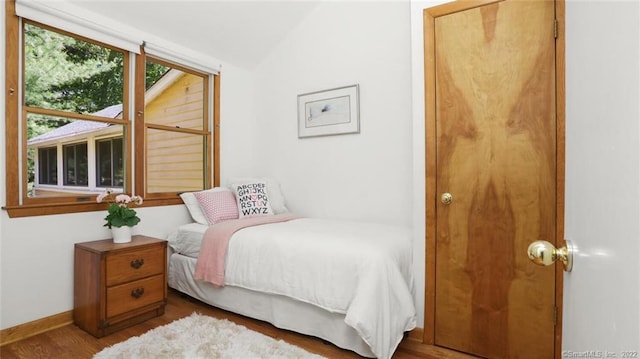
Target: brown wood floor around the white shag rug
(72, 342)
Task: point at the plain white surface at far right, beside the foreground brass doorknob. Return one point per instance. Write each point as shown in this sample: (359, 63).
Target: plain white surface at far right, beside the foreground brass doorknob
(602, 293)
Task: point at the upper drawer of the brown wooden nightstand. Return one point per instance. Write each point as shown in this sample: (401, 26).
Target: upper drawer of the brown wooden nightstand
(127, 266)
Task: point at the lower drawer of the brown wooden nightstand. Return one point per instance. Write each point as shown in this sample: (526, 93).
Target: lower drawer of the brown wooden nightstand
(134, 295)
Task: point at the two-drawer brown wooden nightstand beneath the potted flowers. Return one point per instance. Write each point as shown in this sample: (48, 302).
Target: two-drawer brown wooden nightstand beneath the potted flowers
(118, 285)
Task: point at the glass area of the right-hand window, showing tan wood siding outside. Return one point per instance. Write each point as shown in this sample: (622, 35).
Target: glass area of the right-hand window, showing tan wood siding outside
(176, 130)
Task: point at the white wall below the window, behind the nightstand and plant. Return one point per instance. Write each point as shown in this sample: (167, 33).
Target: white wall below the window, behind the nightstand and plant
(37, 258)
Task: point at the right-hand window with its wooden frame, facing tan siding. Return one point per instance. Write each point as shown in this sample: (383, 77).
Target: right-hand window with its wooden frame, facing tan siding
(175, 116)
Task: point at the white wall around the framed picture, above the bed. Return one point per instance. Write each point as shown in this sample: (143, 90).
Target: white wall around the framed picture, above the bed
(365, 176)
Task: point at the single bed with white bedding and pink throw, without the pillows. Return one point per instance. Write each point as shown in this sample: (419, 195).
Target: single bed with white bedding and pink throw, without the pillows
(349, 283)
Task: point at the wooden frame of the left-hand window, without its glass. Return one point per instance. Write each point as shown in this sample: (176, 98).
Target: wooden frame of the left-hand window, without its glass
(18, 202)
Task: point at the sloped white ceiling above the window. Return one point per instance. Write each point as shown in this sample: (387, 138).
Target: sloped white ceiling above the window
(238, 32)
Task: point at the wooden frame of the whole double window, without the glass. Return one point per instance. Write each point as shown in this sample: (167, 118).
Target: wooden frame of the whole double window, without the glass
(18, 204)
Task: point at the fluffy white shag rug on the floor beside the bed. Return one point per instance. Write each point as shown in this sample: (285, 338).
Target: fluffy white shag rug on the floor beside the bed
(201, 336)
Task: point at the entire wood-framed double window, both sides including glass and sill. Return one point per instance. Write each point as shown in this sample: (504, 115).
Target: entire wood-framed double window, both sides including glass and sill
(71, 134)
